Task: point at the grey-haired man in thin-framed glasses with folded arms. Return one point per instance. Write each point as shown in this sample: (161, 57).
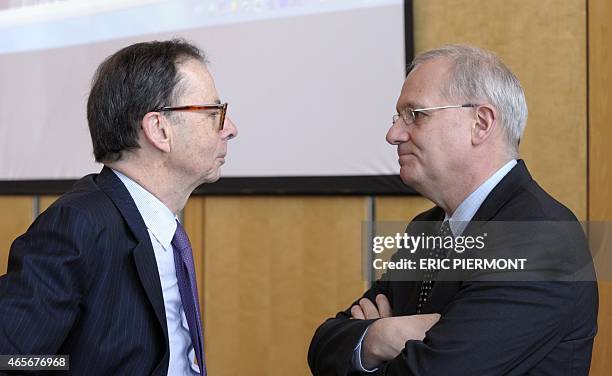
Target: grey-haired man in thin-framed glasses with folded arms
(460, 117)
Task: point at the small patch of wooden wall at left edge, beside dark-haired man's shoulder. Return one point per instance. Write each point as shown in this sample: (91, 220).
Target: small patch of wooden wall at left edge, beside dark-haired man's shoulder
(15, 218)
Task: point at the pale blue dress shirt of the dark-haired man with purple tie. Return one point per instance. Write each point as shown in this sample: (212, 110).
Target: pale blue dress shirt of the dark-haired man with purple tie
(161, 225)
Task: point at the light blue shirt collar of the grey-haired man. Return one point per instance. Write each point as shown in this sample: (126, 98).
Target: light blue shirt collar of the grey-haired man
(468, 207)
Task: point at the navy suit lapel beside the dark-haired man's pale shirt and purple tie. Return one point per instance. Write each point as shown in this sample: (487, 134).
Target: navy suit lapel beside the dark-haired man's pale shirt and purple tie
(144, 256)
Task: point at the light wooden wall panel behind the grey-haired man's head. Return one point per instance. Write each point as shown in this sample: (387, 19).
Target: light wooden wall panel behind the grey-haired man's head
(544, 43)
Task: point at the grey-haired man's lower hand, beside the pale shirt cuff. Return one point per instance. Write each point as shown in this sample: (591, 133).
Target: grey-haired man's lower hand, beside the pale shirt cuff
(386, 338)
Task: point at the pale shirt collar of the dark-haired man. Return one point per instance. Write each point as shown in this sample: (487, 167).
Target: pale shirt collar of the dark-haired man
(160, 221)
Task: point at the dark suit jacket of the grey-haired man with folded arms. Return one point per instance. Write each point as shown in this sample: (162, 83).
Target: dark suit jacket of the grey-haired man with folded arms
(486, 327)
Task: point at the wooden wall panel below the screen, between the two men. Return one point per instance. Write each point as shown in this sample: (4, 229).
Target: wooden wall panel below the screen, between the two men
(274, 269)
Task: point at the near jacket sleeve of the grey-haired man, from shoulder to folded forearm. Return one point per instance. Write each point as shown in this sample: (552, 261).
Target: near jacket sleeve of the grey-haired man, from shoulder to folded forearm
(502, 323)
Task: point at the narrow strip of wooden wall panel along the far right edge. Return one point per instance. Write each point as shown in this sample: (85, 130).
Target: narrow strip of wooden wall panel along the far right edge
(600, 161)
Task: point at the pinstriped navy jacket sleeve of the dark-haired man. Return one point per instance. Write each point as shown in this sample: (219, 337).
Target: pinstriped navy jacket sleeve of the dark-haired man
(46, 279)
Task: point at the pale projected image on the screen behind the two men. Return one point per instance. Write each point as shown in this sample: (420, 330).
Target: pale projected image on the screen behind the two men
(311, 84)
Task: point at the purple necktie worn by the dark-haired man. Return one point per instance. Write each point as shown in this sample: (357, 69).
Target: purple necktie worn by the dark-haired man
(185, 275)
